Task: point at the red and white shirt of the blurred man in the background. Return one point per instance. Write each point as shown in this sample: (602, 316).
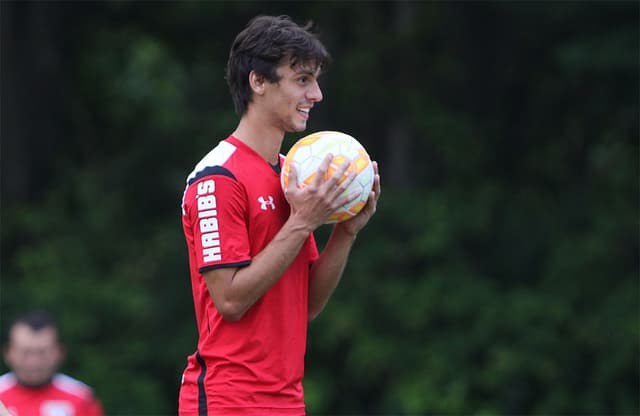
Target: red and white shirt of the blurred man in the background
(63, 396)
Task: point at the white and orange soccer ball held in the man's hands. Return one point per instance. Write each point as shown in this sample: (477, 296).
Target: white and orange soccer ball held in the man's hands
(307, 154)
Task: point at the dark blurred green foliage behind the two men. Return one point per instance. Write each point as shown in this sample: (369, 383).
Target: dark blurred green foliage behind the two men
(500, 275)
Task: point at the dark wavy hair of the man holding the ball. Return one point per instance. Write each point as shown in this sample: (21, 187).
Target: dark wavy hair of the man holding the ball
(264, 44)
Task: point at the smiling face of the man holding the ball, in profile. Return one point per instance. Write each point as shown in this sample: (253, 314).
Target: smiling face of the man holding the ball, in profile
(289, 101)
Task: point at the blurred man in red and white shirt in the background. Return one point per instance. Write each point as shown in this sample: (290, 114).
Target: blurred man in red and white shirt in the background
(33, 388)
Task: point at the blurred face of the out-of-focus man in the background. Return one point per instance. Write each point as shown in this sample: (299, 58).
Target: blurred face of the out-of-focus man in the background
(33, 356)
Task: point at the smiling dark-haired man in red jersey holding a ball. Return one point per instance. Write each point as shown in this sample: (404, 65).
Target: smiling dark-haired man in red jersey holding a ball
(256, 274)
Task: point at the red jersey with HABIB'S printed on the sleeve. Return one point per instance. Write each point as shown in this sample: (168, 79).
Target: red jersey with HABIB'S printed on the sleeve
(232, 207)
